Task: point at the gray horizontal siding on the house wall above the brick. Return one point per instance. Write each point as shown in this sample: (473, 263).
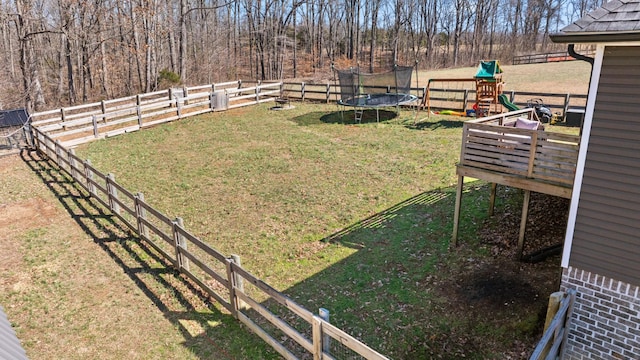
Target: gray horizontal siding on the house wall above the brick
(606, 238)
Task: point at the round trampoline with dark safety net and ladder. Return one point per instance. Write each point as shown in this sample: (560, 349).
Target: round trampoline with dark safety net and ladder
(374, 91)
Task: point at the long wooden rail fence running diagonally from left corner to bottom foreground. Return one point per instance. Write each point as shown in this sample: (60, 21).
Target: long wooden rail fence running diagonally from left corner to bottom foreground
(274, 319)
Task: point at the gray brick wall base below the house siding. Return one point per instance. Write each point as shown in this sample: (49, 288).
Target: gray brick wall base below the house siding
(605, 323)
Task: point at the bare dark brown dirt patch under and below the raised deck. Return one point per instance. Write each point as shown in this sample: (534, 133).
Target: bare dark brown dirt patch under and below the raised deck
(509, 295)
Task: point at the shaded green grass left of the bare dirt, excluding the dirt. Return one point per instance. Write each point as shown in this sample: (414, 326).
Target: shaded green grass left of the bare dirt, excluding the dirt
(385, 292)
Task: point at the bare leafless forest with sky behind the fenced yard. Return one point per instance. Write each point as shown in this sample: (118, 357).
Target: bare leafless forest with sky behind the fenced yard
(65, 52)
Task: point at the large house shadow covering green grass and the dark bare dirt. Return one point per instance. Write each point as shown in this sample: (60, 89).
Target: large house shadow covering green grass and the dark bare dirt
(405, 294)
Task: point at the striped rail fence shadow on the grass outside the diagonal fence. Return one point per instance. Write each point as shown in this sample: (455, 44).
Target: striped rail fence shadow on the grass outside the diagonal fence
(225, 339)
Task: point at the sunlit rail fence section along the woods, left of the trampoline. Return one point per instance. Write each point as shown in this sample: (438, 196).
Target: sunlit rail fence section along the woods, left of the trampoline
(83, 123)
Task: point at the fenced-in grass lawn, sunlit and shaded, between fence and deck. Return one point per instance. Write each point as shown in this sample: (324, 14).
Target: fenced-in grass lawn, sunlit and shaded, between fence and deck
(352, 218)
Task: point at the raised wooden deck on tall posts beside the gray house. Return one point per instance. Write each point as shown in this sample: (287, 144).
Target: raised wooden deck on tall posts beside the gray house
(533, 160)
